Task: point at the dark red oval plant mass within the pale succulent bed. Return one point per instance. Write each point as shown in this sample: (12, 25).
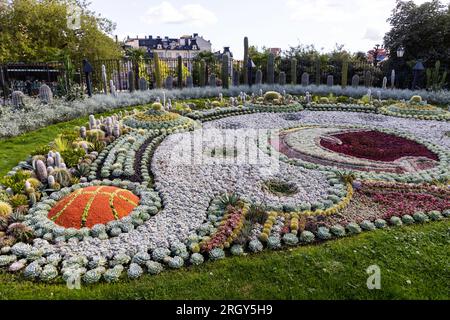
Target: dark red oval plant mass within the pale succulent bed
(378, 146)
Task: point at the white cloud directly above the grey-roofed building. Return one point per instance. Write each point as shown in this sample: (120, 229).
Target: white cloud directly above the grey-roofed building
(191, 14)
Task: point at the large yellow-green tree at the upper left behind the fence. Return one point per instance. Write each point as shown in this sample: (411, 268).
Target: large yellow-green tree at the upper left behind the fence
(37, 30)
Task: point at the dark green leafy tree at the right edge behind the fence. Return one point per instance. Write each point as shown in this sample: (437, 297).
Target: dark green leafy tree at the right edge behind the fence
(424, 32)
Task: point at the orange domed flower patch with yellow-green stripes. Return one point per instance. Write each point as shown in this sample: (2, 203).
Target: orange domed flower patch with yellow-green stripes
(93, 205)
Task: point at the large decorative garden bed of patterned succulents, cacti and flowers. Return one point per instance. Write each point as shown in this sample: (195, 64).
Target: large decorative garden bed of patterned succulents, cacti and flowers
(121, 194)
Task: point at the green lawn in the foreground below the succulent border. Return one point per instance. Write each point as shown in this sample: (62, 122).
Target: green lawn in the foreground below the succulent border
(413, 262)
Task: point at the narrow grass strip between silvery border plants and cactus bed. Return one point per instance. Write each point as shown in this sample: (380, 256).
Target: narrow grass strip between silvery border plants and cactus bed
(16, 149)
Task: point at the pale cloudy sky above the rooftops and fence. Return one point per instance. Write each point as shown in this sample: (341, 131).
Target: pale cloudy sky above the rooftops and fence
(356, 24)
